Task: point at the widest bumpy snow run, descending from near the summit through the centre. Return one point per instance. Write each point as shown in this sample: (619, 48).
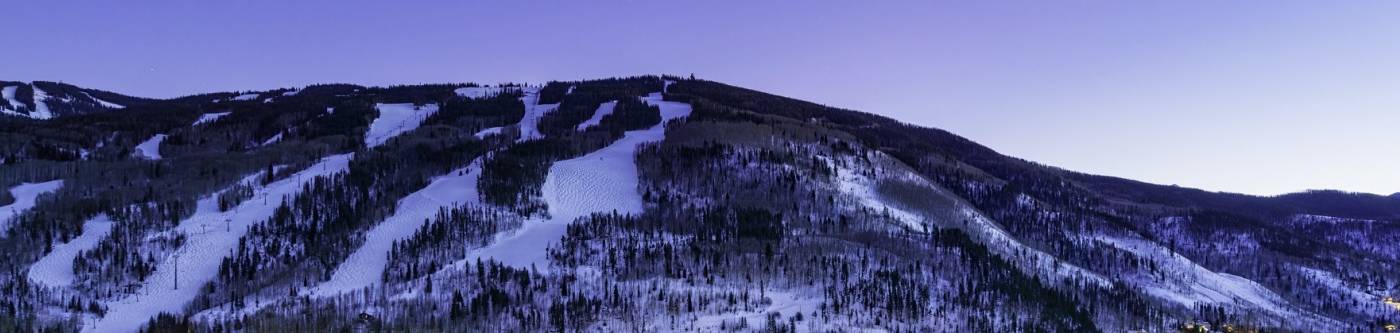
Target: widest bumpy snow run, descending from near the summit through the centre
(604, 181)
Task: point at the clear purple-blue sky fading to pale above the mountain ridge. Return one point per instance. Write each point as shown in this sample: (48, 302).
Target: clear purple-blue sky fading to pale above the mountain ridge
(1249, 97)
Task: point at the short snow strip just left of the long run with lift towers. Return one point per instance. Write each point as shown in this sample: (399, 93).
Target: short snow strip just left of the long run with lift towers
(55, 269)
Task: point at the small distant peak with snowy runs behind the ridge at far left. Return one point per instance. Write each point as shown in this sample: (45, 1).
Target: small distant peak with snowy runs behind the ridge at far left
(43, 100)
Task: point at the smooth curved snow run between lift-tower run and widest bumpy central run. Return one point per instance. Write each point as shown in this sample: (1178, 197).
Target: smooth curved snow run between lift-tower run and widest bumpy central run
(366, 267)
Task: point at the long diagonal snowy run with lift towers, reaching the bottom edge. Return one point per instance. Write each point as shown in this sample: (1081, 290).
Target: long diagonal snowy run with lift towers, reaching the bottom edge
(212, 236)
